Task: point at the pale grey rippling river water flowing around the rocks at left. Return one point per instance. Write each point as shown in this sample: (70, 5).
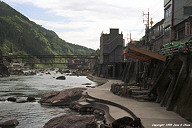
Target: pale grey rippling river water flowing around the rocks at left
(33, 115)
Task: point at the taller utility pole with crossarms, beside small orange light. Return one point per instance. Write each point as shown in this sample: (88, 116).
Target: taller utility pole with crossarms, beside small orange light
(146, 21)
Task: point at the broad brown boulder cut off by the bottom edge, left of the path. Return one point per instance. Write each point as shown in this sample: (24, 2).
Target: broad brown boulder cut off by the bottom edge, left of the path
(72, 121)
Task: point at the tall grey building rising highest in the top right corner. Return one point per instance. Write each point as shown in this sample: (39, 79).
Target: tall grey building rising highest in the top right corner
(175, 12)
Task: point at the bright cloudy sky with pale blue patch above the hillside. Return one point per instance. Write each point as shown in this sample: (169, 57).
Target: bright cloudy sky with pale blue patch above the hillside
(82, 21)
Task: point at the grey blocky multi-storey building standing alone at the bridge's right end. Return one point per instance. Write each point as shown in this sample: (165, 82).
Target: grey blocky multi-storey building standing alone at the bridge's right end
(111, 53)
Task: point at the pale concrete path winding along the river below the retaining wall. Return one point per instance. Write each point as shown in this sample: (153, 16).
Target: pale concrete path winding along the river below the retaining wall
(152, 114)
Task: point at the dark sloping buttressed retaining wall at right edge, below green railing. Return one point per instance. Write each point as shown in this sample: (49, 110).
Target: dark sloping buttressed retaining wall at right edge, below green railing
(173, 86)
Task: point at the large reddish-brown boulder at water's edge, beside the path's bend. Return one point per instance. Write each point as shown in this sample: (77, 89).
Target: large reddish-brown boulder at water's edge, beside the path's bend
(62, 98)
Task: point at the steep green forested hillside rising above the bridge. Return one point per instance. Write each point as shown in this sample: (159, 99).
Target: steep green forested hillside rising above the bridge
(19, 35)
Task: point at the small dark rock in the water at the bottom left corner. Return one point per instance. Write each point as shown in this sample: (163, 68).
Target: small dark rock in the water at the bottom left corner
(9, 124)
